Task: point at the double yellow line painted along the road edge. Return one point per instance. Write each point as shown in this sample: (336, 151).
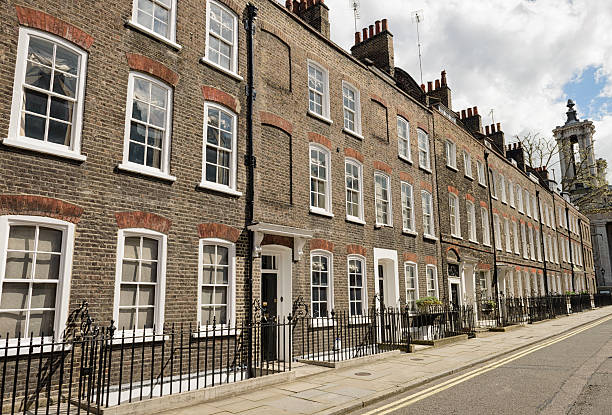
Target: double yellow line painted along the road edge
(409, 400)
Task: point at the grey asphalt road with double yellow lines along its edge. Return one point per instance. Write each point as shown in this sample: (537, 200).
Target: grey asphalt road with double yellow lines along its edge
(572, 376)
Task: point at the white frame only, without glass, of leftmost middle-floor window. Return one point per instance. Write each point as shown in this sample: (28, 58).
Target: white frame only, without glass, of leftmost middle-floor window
(14, 138)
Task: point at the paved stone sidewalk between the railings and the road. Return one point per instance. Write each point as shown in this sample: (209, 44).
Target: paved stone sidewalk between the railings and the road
(319, 390)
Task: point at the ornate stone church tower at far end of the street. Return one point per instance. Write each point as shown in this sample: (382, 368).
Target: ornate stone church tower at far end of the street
(576, 153)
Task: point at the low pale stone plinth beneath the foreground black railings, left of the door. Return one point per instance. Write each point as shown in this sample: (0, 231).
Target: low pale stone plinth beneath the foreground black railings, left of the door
(194, 397)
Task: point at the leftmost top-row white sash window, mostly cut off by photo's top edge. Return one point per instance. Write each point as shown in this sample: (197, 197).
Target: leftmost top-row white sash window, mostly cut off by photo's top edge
(157, 17)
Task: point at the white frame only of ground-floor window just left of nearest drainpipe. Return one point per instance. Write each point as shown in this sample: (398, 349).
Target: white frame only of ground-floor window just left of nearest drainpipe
(231, 282)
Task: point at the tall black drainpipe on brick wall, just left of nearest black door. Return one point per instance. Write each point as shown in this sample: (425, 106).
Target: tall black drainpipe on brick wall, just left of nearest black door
(249, 26)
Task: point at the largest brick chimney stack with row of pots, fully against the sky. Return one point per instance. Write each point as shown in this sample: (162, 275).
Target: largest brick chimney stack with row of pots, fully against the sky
(377, 46)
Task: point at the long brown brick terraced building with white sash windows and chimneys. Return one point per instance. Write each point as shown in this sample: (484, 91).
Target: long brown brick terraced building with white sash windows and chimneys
(124, 182)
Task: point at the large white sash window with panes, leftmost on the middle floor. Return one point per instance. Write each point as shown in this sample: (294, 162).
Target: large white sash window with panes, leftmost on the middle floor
(48, 95)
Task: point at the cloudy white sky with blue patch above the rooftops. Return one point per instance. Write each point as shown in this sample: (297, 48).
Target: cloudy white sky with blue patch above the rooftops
(521, 58)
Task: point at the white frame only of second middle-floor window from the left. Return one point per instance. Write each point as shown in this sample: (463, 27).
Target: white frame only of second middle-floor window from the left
(164, 171)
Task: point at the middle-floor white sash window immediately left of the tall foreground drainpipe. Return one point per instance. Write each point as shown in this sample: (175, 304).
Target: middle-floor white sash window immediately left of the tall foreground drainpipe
(219, 158)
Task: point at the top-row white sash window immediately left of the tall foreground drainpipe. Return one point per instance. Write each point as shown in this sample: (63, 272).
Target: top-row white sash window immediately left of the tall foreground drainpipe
(222, 37)
